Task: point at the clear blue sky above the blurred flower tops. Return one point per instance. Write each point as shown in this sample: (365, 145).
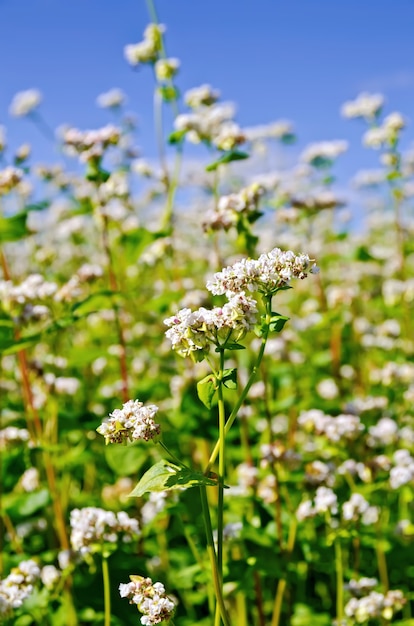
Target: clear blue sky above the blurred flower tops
(297, 59)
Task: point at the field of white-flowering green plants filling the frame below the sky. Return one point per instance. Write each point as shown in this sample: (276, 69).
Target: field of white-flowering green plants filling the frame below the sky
(207, 369)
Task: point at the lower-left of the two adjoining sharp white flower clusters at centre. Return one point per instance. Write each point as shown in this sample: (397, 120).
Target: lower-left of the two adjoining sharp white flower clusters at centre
(196, 330)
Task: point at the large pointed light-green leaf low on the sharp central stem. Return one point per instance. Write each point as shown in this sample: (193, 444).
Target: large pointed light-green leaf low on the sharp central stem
(165, 476)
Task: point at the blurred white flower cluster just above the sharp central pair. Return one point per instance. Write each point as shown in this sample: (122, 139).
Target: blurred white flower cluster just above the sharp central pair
(230, 208)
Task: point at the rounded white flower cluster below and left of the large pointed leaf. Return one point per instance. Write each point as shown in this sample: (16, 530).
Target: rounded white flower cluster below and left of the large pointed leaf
(92, 526)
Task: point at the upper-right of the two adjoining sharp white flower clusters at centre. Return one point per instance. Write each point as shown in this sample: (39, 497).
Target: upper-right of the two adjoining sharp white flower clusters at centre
(267, 274)
